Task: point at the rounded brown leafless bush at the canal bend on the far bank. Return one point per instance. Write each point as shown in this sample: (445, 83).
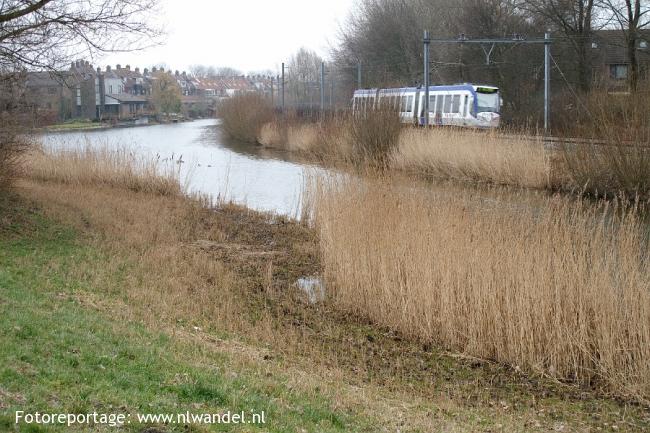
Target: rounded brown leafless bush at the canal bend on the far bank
(243, 116)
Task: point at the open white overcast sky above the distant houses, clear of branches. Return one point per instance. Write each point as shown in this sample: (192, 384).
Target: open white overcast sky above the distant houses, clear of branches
(250, 35)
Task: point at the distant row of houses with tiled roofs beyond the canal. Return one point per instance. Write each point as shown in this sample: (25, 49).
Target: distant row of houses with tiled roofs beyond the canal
(86, 92)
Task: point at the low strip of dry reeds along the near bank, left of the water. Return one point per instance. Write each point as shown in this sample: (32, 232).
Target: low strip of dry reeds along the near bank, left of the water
(118, 168)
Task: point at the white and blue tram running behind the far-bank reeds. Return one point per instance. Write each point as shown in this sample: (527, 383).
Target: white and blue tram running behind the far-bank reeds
(467, 105)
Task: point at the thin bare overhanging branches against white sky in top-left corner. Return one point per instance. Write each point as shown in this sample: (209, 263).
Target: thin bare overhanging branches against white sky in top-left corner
(47, 34)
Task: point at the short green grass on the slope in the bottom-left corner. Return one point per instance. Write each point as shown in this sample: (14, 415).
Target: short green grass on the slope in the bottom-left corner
(59, 355)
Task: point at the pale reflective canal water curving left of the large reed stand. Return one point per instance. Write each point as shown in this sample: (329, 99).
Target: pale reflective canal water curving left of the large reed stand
(211, 164)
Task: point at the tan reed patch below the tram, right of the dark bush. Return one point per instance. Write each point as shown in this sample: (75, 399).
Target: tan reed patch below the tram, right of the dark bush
(476, 157)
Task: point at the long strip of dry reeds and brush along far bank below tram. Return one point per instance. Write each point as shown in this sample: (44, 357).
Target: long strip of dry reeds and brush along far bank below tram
(444, 153)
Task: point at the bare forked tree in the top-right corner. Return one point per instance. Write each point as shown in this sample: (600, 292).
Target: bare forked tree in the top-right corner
(631, 17)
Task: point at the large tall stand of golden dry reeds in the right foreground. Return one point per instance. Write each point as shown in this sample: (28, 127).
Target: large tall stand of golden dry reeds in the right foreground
(545, 284)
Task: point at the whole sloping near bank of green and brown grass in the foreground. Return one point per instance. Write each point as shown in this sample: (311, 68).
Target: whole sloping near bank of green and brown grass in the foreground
(120, 293)
